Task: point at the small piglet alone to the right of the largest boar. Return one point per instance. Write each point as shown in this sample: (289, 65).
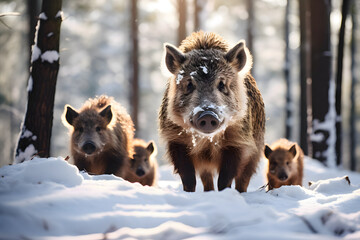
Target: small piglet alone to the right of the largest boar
(285, 159)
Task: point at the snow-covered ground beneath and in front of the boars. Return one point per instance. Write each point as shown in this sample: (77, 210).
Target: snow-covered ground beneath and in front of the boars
(50, 199)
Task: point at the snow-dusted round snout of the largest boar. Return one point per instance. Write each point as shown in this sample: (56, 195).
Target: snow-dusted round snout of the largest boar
(206, 121)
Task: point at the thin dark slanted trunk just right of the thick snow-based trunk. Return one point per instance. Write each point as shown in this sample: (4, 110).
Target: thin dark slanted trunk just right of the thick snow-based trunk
(345, 10)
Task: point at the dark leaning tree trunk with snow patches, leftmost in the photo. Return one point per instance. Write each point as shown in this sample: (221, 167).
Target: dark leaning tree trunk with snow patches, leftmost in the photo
(35, 133)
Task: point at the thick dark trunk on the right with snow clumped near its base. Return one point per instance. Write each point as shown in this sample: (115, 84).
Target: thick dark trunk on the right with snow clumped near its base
(323, 136)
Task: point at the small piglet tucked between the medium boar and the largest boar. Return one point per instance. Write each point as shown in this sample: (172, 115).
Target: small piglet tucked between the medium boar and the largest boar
(144, 161)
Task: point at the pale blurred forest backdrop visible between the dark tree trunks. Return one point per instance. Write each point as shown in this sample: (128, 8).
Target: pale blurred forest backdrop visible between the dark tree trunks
(95, 53)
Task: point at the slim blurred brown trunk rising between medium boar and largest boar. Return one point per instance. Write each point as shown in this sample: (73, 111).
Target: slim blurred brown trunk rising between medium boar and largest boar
(134, 76)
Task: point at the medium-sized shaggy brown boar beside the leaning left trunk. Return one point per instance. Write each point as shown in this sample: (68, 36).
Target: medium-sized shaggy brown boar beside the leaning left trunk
(101, 136)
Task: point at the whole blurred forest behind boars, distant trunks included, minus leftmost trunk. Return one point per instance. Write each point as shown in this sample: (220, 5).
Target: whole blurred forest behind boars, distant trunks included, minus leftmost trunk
(294, 54)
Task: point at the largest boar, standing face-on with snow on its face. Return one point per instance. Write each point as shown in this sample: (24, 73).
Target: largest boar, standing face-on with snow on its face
(212, 114)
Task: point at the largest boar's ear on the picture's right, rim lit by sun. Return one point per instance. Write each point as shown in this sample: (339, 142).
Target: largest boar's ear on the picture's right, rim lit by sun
(239, 57)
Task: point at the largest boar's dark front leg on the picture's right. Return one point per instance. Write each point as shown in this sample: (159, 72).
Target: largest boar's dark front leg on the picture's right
(228, 168)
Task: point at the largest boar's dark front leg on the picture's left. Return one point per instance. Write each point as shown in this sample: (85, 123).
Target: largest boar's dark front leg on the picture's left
(183, 165)
